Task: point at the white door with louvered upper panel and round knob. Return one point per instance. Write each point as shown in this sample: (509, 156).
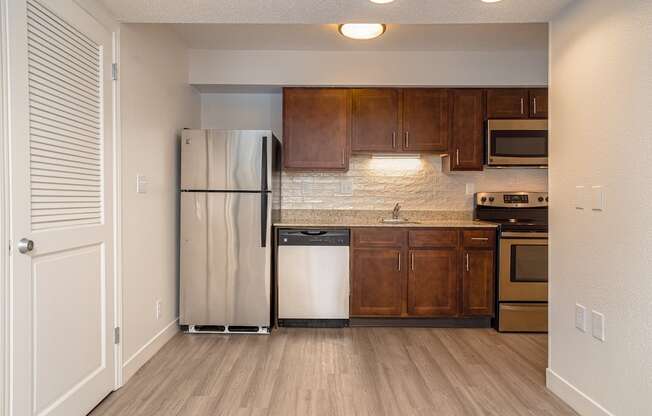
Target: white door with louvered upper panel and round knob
(61, 175)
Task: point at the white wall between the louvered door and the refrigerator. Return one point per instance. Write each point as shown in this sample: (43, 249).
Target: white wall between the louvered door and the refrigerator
(156, 103)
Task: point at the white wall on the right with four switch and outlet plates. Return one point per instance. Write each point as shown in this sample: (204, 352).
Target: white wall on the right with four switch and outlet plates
(601, 134)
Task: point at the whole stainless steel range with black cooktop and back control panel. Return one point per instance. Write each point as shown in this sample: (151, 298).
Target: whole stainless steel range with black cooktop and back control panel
(522, 257)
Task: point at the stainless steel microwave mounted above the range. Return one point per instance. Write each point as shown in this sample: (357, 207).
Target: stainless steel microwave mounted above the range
(517, 143)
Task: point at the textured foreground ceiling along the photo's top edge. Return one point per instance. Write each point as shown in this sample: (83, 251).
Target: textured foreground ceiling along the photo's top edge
(333, 11)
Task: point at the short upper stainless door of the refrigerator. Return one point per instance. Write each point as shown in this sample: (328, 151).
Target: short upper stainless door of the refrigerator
(226, 160)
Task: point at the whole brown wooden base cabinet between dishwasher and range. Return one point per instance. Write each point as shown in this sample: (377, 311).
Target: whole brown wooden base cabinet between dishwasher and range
(425, 273)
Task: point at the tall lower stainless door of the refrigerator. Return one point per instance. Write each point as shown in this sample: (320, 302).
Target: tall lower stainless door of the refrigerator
(225, 259)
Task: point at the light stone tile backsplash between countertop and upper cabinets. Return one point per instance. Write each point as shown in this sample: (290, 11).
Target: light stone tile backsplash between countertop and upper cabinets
(418, 184)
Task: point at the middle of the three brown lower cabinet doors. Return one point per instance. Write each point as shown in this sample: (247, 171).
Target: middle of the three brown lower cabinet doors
(433, 282)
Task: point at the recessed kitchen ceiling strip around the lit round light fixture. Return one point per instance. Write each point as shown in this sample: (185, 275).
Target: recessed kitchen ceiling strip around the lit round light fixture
(448, 37)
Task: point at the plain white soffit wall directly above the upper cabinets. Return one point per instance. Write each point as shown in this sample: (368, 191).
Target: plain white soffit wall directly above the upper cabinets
(420, 68)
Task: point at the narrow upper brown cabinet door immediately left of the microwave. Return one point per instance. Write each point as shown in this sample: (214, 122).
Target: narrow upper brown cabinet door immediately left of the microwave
(467, 141)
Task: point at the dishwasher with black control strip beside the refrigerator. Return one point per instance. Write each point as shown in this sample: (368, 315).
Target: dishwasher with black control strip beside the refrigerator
(313, 277)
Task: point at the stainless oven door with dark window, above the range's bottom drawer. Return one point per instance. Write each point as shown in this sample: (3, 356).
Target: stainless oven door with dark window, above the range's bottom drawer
(523, 267)
